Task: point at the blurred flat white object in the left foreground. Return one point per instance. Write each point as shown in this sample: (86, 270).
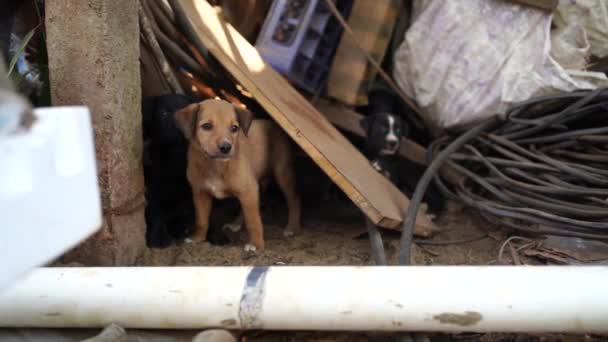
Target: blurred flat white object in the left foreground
(49, 196)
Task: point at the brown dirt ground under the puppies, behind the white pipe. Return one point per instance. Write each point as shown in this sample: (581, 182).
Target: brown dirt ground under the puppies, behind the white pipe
(333, 234)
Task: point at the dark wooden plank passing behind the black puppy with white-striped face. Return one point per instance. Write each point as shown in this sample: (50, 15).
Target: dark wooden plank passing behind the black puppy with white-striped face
(348, 120)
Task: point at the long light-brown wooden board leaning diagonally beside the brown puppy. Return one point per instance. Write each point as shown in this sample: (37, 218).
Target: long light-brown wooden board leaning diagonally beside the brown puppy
(343, 163)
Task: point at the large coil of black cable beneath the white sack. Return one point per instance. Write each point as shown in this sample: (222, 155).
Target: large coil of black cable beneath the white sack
(544, 169)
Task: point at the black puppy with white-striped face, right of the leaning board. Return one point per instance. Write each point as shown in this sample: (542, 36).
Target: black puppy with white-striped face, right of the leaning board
(384, 133)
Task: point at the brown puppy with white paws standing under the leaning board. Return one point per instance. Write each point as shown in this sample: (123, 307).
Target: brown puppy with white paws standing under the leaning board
(229, 154)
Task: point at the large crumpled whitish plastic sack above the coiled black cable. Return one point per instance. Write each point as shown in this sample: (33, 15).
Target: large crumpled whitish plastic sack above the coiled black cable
(467, 60)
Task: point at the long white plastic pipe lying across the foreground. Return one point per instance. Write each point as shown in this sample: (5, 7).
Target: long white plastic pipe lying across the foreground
(456, 298)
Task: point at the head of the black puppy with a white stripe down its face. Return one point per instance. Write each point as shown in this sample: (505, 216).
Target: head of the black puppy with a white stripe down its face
(384, 132)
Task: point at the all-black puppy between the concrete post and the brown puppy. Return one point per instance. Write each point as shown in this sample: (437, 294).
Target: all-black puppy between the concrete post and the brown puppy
(170, 209)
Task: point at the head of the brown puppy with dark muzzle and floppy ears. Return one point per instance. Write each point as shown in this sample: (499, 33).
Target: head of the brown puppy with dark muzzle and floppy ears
(214, 126)
